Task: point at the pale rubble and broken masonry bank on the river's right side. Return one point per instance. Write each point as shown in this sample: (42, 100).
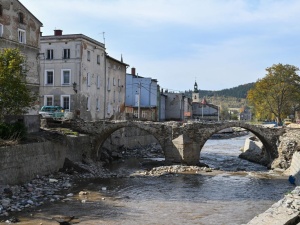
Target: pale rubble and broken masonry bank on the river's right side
(287, 210)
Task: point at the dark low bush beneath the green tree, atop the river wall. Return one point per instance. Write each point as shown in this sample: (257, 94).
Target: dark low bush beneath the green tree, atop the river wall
(12, 131)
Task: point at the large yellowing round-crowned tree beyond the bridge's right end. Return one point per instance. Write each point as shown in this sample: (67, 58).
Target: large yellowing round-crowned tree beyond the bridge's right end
(277, 93)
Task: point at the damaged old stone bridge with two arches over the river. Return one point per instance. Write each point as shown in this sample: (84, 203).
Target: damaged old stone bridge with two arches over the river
(181, 142)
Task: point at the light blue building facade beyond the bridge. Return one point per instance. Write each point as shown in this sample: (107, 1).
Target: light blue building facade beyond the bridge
(142, 100)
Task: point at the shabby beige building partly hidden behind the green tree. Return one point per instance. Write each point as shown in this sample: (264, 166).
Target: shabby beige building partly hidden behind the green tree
(19, 28)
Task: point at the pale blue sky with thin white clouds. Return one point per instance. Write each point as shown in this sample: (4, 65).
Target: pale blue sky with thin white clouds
(218, 43)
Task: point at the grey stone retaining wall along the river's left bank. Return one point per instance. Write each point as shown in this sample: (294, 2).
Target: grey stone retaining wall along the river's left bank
(21, 163)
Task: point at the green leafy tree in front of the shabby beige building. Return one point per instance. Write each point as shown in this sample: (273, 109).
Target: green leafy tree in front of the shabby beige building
(15, 97)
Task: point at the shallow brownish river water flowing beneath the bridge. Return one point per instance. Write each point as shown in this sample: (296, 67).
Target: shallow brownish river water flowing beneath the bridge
(234, 194)
